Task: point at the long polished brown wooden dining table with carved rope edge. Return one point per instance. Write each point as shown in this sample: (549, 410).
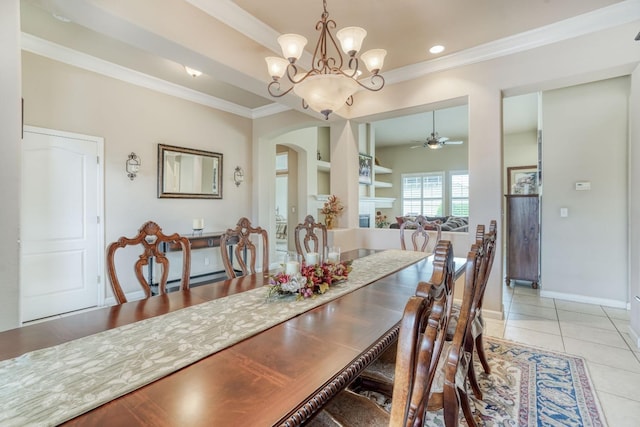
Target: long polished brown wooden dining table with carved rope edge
(280, 376)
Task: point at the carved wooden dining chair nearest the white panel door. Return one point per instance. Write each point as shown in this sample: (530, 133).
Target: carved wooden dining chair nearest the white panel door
(150, 239)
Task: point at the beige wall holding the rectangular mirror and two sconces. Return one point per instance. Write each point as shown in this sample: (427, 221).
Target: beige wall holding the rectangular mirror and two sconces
(131, 118)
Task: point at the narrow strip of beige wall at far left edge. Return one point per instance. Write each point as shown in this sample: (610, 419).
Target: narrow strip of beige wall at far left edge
(10, 129)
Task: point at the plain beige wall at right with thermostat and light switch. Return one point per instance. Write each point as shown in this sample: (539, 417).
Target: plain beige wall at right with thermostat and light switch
(585, 133)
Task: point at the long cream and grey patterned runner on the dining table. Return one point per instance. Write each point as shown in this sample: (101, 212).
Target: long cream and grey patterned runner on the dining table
(53, 385)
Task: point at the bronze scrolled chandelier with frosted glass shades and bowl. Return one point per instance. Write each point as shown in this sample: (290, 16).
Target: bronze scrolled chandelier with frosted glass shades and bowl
(328, 84)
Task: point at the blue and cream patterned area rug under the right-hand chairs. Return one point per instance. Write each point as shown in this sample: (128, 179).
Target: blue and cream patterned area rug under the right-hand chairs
(528, 387)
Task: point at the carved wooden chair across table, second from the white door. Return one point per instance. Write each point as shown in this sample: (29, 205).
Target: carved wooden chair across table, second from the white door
(242, 240)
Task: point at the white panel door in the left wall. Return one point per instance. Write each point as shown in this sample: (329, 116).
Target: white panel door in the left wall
(60, 227)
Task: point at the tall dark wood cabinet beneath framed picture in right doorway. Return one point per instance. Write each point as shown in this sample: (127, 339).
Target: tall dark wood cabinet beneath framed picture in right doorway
(523, 238)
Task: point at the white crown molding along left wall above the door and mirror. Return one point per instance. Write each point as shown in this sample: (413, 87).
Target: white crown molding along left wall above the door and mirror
(78, 59)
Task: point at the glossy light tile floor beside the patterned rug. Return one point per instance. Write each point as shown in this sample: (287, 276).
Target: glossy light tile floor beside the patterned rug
(598, 334)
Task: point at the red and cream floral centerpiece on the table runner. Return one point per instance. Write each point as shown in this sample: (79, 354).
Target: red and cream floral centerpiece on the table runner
(311, 280)
